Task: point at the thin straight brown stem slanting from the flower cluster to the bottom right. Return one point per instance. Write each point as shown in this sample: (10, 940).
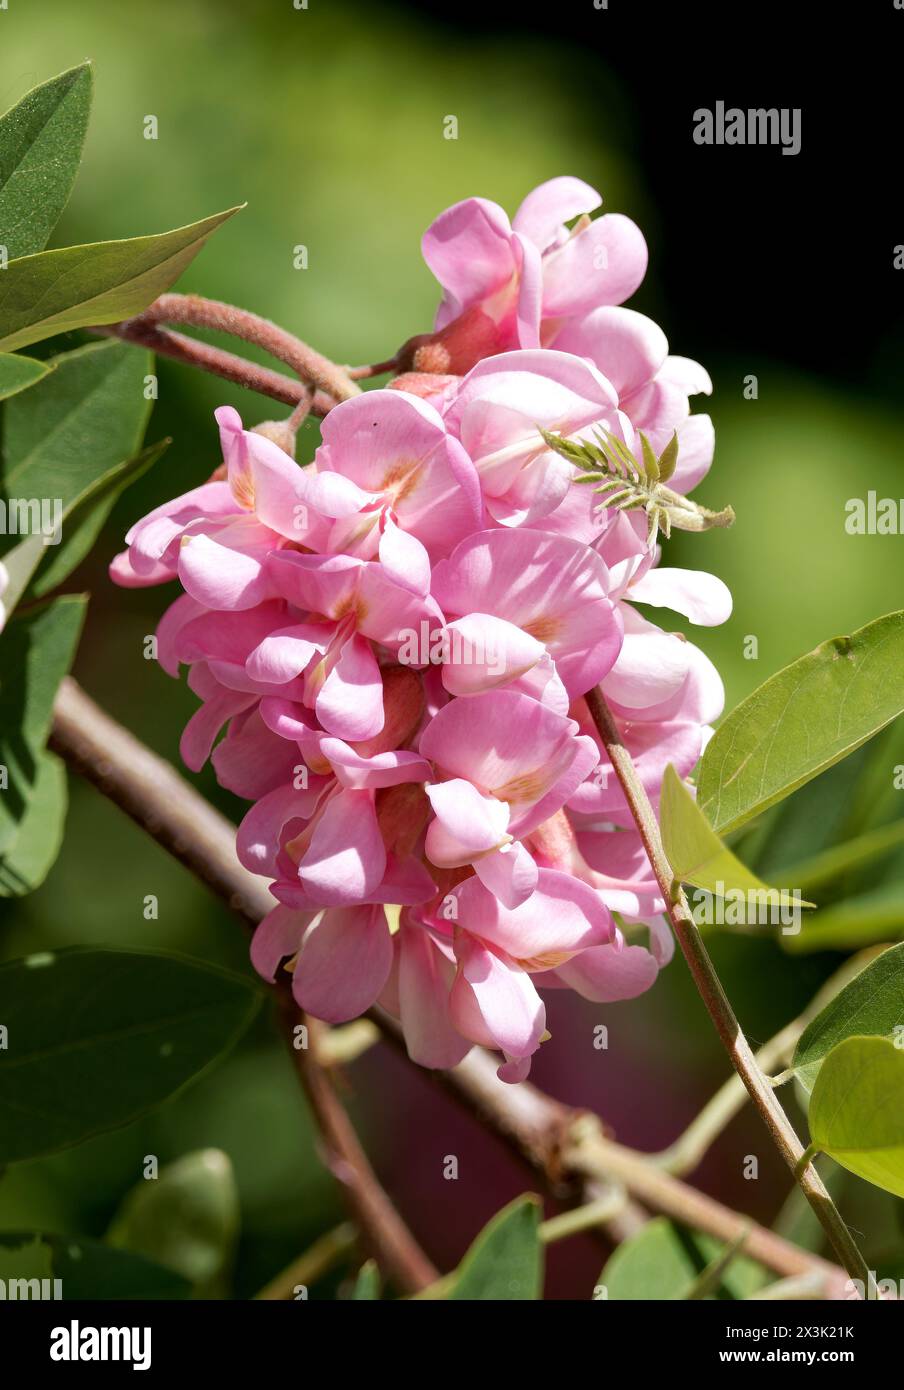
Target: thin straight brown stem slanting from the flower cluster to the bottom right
(717, 1001)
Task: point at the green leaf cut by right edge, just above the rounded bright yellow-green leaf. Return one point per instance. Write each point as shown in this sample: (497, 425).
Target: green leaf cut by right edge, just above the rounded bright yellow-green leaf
(871, 1006)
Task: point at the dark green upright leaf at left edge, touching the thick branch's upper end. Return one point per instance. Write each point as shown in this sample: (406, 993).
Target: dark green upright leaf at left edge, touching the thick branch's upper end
(37, 651)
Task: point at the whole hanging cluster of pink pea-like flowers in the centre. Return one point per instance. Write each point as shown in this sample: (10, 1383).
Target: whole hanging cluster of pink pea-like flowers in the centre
(398, 639)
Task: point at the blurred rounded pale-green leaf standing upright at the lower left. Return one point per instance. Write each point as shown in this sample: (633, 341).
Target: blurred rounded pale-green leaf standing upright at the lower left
(187, 1220)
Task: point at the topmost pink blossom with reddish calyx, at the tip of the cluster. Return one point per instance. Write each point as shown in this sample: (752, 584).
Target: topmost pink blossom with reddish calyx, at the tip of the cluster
(512, 284)
